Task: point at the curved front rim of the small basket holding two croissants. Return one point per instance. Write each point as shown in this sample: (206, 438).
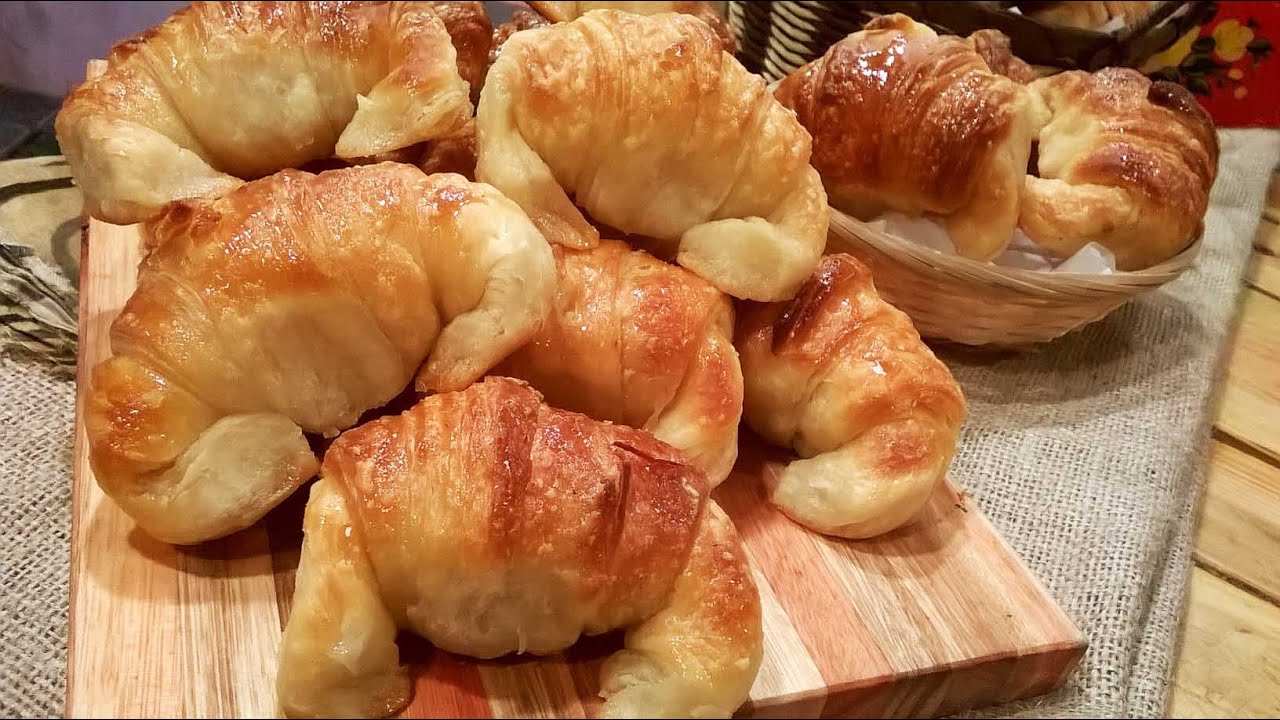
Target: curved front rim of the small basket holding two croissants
(1028, 282)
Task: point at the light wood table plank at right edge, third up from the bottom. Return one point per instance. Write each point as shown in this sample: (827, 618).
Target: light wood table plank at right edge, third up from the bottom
(1250, 407)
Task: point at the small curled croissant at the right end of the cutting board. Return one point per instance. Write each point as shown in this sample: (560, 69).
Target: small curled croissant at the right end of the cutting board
(843, 379)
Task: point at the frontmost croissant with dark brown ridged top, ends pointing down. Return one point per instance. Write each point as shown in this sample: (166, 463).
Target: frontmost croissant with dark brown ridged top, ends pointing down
(491, 523)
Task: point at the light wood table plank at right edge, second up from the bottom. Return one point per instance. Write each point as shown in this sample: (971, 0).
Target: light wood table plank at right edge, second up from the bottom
(1240, 532)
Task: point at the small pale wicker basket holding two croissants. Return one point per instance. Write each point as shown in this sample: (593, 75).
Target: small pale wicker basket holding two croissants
(971, 303)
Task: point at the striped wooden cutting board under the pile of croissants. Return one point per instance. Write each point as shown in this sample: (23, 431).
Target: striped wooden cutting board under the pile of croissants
(932, 619)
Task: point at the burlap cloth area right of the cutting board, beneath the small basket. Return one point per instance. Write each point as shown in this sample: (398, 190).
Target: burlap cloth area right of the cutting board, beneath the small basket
(1090, 455)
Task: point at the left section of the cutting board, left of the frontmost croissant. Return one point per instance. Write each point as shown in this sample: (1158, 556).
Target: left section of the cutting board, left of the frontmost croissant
(144, 608)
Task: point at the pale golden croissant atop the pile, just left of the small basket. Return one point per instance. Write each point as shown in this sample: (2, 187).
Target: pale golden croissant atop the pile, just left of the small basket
(657, 133)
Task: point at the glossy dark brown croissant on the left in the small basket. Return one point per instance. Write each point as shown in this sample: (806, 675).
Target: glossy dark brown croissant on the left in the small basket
(904, 120)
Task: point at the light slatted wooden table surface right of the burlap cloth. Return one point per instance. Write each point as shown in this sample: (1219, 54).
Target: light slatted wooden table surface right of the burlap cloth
(1229, 666)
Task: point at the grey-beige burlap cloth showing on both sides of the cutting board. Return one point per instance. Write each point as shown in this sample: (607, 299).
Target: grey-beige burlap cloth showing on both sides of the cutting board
(1089, 457)
